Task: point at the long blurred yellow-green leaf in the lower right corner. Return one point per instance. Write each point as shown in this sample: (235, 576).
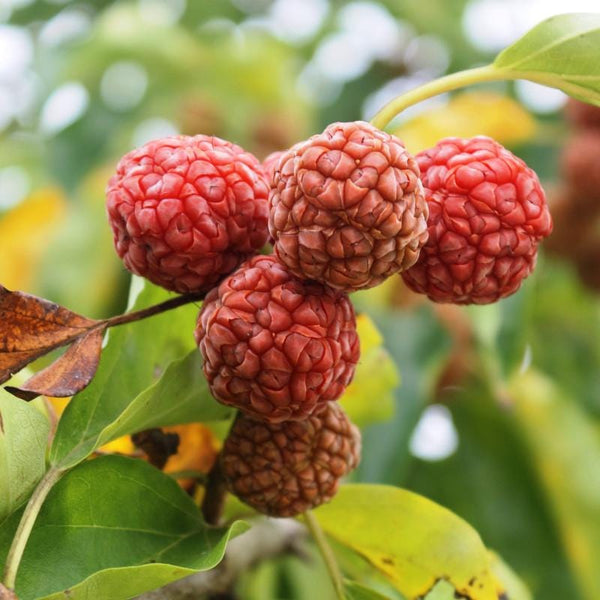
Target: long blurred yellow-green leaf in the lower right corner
(565, 448)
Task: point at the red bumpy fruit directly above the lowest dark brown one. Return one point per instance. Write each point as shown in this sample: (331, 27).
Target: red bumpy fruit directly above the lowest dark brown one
(274, 346)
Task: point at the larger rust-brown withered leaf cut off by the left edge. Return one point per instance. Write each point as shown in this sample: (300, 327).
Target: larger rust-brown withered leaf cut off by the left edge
(31, 327)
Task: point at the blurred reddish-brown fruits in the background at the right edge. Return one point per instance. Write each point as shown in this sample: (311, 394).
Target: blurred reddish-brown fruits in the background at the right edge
(577, 202)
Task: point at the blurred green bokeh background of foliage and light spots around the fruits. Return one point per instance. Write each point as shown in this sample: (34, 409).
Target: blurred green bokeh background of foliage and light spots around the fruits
(81, 83)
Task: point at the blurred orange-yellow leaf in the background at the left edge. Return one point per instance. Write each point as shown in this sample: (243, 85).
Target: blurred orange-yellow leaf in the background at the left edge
(26, 232)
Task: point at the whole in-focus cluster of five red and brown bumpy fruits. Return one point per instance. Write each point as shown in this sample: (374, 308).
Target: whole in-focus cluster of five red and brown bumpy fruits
(343, 211)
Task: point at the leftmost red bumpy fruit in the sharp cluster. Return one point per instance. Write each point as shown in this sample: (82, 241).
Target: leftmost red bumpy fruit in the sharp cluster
(185, 211)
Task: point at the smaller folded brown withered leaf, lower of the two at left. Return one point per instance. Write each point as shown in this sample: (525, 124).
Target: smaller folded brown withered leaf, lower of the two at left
(69, 373)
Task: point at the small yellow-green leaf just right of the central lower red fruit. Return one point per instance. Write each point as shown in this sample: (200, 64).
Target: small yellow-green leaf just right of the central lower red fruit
(370, 396)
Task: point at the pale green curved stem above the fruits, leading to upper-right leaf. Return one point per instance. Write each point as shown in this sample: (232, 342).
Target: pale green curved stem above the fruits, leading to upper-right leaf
(436, 87)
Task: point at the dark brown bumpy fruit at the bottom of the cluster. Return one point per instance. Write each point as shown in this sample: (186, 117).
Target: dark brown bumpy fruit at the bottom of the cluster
(287, 468)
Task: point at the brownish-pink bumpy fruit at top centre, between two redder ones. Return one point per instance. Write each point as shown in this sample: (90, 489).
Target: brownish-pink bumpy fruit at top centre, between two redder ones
(347, 207)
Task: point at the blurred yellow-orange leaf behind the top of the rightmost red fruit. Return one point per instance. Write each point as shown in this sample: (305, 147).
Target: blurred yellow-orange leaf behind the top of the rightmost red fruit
(467, 115)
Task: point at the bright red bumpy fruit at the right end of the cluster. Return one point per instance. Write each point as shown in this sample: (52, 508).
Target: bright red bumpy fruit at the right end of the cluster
(487, 213)
